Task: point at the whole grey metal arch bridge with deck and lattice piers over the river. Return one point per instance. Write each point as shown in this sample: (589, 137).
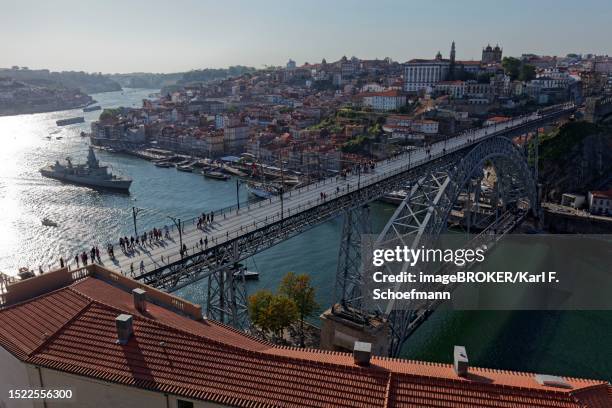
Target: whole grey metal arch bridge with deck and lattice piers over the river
(437, 174)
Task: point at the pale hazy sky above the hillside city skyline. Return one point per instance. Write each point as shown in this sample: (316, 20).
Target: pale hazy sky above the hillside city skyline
(177, 35)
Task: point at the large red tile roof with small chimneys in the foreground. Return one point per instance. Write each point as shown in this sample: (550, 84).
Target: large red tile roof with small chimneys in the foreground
(73, 330)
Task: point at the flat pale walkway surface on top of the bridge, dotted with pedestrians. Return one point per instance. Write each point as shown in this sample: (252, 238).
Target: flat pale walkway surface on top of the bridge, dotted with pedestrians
(231, 224)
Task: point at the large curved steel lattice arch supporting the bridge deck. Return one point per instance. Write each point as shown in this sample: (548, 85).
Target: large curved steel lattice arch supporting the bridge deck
(423, 216)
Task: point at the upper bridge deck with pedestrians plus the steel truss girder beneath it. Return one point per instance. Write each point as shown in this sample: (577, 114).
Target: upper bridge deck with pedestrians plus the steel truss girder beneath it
(238, 233)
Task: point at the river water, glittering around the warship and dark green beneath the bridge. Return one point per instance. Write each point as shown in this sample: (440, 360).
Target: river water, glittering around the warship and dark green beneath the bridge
(568, 343)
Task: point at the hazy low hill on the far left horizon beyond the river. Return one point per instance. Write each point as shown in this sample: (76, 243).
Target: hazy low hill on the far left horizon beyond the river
(83, 81)
